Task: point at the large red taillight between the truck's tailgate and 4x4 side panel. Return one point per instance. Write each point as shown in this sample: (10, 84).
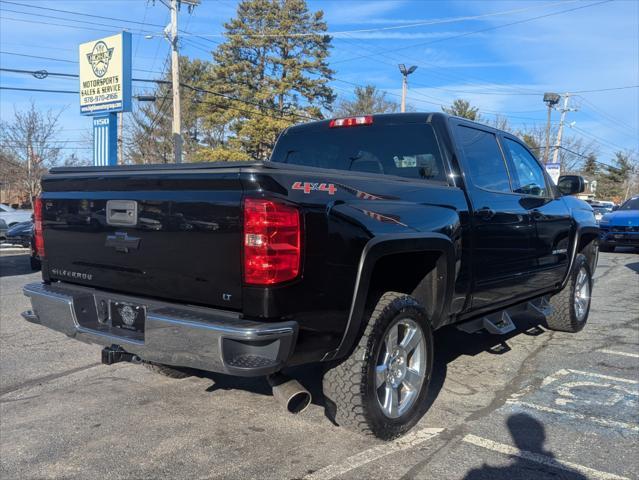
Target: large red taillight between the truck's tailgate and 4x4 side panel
(271, 242)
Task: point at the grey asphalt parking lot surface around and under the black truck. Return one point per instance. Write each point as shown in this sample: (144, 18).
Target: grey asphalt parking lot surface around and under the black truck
(535, 404)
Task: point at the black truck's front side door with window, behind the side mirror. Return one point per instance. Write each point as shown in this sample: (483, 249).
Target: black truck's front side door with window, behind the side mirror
(549, 214)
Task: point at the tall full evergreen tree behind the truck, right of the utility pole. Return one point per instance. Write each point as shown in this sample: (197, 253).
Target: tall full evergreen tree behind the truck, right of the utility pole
(272, 71)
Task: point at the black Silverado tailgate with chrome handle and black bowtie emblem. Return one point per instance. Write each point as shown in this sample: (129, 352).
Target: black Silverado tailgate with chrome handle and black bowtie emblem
(173, 234)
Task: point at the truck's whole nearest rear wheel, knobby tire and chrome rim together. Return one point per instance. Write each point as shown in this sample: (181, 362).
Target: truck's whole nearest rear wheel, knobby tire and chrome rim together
(381, 388)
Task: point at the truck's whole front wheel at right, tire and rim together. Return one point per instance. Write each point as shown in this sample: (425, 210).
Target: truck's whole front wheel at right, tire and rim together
(571, 306)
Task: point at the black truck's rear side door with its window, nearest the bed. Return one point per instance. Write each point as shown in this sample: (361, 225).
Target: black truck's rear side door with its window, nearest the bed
(503, 254)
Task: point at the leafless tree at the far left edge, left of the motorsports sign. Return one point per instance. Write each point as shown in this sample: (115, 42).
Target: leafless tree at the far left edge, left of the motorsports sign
(29, 140)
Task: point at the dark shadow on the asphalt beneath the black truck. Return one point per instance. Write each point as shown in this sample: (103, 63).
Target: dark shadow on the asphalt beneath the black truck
(450, 344)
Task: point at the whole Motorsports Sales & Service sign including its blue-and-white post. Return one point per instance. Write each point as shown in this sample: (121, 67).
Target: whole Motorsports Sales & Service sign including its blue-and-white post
(105, 90)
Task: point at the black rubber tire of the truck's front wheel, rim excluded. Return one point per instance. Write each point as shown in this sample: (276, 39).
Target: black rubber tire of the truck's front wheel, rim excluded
(564, 317)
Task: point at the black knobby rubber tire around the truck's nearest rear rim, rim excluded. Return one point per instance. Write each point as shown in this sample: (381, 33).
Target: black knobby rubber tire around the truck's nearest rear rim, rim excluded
(349, 386)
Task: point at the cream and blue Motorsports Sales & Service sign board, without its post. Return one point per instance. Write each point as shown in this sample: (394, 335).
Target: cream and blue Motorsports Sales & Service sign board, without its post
(105, 75)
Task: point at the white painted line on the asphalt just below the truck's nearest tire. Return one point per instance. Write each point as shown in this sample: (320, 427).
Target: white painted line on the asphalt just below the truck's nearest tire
(406, 442)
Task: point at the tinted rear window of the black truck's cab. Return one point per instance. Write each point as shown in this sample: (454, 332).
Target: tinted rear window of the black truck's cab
(406, 150)
